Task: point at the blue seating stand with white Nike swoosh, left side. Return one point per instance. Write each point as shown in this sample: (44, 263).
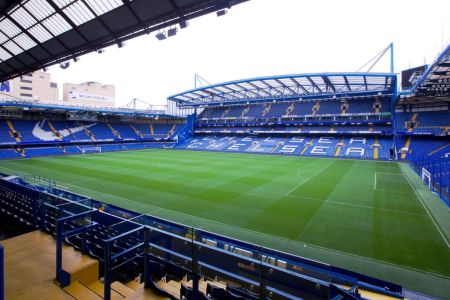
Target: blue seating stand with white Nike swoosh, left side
(47, 137)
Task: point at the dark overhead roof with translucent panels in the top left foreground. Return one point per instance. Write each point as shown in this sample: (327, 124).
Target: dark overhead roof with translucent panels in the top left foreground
(38, 33)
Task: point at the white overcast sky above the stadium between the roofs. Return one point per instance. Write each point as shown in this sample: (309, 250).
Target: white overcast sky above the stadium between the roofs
(269, 37)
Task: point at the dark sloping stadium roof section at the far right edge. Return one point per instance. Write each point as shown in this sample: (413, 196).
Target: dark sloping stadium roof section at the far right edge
(435, 81)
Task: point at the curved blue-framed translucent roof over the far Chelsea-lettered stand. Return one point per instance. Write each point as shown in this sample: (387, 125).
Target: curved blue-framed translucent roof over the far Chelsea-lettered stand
(288, 87)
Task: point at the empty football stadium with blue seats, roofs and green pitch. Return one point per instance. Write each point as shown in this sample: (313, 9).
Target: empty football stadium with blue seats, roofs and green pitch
(297, 186)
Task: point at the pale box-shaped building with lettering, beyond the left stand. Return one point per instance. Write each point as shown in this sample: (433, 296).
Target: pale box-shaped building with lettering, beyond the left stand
(89, 94)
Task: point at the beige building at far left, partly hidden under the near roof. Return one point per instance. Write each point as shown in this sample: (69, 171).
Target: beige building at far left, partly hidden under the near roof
(35, 87)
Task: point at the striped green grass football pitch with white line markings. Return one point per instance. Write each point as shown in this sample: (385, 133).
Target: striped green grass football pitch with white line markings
(362, 215)
